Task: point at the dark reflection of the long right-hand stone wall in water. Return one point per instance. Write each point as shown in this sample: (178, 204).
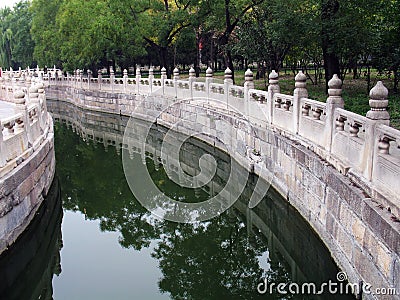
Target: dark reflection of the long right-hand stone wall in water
(285, 230)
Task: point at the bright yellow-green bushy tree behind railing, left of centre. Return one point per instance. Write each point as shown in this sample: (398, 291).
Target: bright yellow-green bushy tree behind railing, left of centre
(89, 42)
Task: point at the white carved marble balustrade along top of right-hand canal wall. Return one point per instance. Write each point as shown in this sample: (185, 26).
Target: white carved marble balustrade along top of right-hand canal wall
(352, 143)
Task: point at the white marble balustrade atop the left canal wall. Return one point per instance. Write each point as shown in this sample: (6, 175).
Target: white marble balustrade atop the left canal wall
(22, 132)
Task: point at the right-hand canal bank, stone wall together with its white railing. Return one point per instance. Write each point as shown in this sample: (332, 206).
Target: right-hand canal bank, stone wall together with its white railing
(355, 215)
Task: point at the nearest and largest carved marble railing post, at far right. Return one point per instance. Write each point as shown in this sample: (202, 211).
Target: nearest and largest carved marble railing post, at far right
(376, 116)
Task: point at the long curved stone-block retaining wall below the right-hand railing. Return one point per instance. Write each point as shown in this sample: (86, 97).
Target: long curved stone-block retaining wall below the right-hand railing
(363, 236)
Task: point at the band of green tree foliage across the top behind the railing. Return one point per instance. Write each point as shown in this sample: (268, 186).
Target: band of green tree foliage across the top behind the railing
(328, 36)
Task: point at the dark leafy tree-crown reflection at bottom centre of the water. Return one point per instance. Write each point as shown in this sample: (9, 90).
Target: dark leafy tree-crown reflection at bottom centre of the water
(213, 261)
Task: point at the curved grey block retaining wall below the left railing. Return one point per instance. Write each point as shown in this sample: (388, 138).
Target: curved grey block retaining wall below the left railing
(23, 189)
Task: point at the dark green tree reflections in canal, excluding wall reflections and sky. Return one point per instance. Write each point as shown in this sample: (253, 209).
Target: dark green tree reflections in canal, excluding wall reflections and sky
(216, 259)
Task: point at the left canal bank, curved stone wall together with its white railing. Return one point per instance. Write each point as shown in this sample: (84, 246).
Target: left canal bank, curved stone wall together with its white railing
(27, 160)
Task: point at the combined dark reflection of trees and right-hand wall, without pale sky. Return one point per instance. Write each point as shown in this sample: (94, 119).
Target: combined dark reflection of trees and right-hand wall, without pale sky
(224, 258)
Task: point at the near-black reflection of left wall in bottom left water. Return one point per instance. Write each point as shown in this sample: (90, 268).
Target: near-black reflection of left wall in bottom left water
(27, 268)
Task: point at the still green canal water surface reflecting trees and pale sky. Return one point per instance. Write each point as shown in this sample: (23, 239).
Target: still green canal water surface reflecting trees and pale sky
(108, 246)
